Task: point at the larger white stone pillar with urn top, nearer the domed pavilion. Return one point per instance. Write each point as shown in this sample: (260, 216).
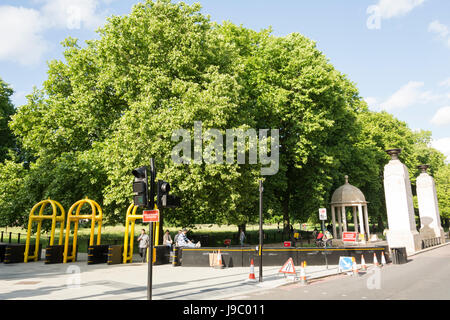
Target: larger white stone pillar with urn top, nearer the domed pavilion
(399, 204)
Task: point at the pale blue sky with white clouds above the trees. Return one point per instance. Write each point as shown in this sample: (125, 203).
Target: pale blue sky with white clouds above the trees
(396, 51)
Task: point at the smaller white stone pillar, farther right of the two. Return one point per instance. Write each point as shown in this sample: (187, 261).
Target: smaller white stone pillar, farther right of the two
(428, 206)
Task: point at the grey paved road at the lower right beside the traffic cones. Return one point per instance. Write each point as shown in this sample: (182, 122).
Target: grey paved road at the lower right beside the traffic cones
(425, 276)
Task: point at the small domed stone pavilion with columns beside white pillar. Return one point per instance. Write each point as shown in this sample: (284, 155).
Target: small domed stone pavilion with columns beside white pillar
(349, 196)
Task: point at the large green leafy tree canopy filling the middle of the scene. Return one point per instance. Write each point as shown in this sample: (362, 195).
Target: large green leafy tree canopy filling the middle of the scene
(114, 103)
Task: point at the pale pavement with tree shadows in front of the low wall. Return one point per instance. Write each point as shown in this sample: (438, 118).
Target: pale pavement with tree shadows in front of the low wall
(36, 280)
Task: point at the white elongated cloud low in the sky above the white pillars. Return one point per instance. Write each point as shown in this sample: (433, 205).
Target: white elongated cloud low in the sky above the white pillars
(408, 95)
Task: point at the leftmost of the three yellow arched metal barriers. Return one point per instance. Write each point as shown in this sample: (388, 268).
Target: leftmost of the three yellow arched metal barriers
(39, 219)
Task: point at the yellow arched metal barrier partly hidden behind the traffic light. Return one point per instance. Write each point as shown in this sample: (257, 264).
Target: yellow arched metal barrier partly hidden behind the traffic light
(129, 234)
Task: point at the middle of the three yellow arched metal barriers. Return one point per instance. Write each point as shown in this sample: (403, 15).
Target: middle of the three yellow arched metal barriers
(94, 217)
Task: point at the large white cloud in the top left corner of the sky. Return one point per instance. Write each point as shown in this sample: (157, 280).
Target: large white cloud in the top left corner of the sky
(21, 35)
